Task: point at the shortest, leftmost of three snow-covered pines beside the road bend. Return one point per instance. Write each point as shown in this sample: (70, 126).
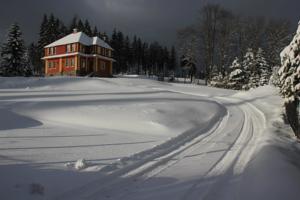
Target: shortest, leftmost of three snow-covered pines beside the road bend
(237, 75)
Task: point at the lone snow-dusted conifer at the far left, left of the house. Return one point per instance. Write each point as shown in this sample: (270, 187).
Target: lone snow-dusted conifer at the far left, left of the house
(12, 53)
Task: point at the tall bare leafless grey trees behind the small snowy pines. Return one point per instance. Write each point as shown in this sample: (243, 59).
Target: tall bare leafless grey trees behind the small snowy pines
(220, 36)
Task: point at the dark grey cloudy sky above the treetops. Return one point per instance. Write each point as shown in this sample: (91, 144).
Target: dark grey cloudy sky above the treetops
(152, 20)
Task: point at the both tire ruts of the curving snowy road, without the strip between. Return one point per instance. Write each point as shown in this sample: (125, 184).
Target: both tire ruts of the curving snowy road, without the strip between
(121, 183)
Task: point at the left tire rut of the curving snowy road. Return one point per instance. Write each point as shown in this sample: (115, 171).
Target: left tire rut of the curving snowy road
(146, 161)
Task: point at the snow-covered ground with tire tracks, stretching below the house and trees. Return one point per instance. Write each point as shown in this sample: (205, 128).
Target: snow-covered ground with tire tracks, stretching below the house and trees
(135, 138)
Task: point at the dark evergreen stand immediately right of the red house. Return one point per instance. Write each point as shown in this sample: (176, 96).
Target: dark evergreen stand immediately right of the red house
(139, 57)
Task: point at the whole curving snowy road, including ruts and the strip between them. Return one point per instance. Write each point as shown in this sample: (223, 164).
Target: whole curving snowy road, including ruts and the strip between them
(205, 163)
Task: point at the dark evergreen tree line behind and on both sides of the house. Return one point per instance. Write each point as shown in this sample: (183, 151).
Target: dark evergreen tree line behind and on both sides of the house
(132, 55)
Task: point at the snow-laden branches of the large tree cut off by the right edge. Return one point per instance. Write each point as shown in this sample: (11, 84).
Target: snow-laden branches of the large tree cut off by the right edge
(290, 69)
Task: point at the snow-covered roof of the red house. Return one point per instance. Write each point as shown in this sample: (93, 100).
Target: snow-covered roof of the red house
(79, 37)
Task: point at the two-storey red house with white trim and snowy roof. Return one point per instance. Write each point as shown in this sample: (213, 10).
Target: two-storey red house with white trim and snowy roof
(78, 55)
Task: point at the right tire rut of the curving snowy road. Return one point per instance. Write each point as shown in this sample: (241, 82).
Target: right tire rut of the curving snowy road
(226, 170)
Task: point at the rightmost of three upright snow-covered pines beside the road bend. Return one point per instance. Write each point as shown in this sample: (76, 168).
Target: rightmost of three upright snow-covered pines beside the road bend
(263, 68)
